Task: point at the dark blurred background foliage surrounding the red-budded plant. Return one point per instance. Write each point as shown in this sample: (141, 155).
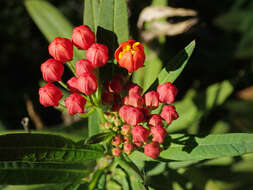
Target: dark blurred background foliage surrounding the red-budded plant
(215, 88)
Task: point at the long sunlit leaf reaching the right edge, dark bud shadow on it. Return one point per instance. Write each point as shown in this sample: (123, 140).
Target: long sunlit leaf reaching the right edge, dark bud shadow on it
(186, 148)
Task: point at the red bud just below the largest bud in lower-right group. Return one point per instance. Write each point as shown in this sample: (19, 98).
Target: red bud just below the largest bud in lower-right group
(140, 134)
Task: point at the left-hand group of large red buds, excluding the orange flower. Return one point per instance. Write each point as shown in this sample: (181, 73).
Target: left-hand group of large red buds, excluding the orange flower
(84, 81)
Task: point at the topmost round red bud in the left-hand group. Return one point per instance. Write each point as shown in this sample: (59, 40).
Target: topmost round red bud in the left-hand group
(83, 37)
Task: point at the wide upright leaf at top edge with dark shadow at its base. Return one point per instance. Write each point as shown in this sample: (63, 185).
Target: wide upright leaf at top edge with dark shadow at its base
(113, 24)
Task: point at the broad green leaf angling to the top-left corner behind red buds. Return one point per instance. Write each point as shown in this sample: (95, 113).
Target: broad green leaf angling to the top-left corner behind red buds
(48, 19)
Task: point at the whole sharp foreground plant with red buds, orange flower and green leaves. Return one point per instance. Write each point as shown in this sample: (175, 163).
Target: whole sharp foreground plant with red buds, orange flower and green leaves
(128, 120)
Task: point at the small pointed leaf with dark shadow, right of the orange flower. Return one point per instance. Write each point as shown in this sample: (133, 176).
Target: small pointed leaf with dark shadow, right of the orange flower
(174, 68)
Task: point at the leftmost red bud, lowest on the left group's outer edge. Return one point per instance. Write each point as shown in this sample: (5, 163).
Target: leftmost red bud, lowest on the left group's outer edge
(50, 95)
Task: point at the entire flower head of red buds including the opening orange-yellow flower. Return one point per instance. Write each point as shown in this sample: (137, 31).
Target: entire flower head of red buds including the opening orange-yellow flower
(130, 115)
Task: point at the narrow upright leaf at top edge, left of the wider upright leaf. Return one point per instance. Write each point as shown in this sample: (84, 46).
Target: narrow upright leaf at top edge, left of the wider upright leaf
(91, 13)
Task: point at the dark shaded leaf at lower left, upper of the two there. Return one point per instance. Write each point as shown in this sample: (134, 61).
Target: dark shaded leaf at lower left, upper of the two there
(44, 148)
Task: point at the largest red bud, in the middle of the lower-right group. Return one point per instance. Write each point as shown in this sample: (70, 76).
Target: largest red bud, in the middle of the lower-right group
(131, 115)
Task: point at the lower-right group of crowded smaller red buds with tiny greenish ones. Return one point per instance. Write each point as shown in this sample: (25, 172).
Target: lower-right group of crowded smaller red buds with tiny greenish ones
(132, 120)
